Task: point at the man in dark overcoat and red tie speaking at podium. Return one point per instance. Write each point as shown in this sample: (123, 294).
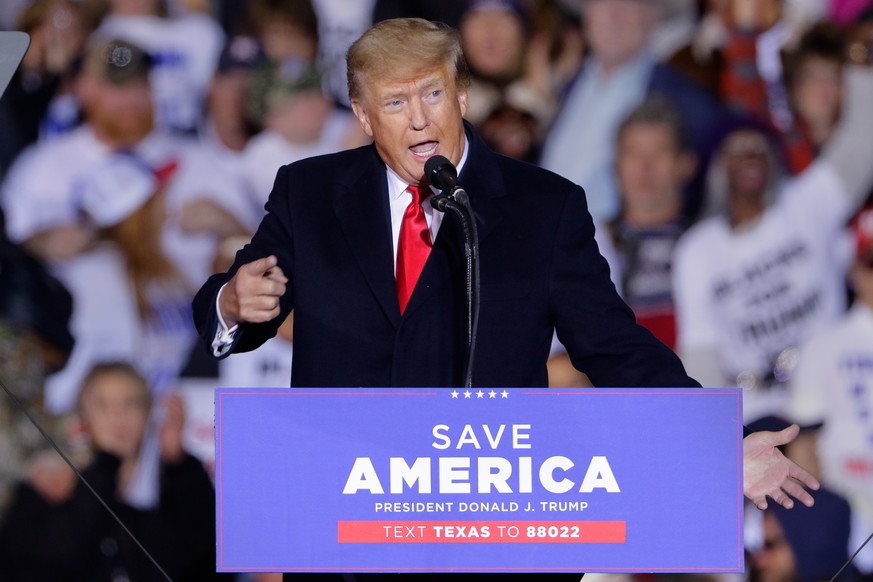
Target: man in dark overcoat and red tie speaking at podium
(376, 276)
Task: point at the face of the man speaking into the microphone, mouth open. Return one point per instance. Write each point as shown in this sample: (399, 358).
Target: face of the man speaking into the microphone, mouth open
(412, 120)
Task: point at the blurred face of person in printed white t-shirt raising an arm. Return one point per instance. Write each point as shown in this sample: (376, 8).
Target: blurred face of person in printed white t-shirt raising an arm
(749, 162)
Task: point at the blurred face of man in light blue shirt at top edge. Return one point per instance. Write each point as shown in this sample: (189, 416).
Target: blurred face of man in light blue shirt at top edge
(618, 29)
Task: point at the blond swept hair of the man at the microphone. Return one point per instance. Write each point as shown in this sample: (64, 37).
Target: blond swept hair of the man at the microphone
(405, 48)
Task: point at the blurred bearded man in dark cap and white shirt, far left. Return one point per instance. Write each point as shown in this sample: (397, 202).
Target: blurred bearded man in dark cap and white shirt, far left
(42, 195)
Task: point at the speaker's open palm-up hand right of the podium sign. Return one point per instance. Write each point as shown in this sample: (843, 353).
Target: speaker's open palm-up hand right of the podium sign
(768, 473)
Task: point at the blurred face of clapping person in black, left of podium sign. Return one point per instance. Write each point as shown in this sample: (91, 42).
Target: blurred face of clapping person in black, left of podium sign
(115, 409)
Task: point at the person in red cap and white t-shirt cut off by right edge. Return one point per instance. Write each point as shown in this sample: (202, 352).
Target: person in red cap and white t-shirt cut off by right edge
(832, 387)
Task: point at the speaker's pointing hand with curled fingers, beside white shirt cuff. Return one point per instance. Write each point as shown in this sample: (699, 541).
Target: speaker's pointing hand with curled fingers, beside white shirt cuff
(253, 293)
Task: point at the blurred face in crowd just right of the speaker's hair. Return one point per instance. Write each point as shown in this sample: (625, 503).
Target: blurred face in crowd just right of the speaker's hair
(493, 42)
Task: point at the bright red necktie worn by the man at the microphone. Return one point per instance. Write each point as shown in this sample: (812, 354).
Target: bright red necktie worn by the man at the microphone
(412, 248)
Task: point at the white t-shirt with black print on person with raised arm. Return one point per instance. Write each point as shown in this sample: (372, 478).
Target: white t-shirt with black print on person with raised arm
(752, 292)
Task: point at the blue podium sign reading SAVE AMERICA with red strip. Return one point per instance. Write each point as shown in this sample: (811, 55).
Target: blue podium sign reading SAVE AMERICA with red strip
(482, 480)
